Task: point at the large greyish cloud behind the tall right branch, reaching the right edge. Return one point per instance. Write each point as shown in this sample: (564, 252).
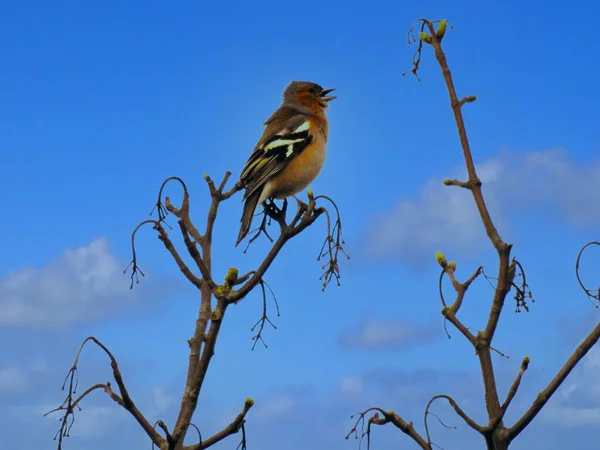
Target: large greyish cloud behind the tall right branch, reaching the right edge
(445, 218)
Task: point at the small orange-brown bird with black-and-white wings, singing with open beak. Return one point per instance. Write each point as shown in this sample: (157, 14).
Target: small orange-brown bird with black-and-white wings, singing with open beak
(291, 151)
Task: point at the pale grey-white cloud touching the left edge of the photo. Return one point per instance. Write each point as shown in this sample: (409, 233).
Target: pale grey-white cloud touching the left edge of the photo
(81, 284)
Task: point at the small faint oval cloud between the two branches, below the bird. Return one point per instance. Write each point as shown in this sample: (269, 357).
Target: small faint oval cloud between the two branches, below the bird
(387, 334)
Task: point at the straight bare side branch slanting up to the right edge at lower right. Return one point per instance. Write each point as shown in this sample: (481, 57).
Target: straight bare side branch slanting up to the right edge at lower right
(562, 374)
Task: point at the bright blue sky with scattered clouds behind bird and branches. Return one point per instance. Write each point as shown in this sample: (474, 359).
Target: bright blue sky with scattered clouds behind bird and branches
(100, 102)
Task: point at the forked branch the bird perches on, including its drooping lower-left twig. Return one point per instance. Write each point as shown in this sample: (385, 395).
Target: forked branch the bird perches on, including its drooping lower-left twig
(214, 301)
